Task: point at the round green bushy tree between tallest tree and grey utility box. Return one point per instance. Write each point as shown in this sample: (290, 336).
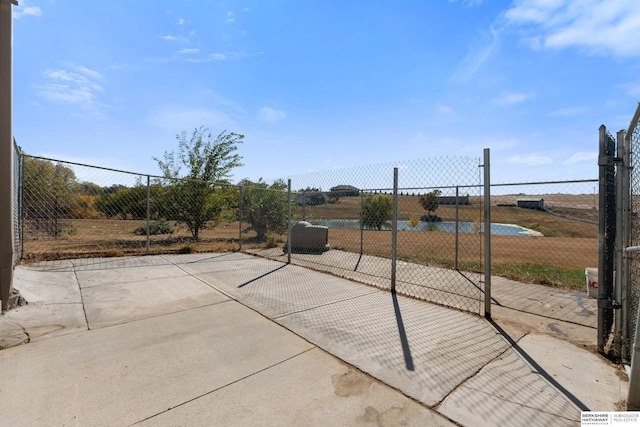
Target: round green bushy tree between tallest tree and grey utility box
(265, 207)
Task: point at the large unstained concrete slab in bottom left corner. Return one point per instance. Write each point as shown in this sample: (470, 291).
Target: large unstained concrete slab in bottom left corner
(127, 373)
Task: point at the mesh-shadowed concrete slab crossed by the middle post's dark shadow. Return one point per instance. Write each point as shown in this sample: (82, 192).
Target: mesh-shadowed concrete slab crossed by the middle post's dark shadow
(424, 350)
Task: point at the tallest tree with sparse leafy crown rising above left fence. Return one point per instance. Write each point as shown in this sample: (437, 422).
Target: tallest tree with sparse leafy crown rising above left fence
(195, 200)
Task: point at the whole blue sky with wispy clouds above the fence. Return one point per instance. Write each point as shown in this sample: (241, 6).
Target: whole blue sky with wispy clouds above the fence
(318, 85)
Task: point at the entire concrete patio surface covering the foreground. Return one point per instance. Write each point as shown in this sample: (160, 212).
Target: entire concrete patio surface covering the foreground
(161, 357)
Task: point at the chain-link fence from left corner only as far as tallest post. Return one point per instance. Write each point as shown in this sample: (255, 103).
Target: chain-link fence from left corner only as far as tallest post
(71, 210)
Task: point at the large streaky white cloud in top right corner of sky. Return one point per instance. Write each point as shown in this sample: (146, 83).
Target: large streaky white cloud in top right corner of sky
(609, 27)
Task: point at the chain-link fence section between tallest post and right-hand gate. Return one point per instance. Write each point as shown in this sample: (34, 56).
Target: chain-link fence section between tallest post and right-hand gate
(554, 232)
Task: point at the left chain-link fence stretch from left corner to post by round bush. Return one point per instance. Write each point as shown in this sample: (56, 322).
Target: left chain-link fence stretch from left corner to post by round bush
(71, 210)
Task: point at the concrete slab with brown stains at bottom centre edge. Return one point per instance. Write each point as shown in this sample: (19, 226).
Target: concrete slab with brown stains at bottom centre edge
(312, 388)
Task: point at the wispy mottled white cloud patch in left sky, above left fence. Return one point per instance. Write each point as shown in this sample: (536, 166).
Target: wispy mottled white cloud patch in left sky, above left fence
(78, 86)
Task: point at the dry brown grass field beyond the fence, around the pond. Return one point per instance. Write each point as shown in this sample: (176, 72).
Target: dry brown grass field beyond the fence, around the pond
(558, 259)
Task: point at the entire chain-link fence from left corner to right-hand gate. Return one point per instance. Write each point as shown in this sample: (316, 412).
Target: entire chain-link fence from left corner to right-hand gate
(342, 222)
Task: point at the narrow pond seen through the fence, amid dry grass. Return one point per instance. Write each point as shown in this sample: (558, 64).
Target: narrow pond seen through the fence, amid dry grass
(450, 227)
